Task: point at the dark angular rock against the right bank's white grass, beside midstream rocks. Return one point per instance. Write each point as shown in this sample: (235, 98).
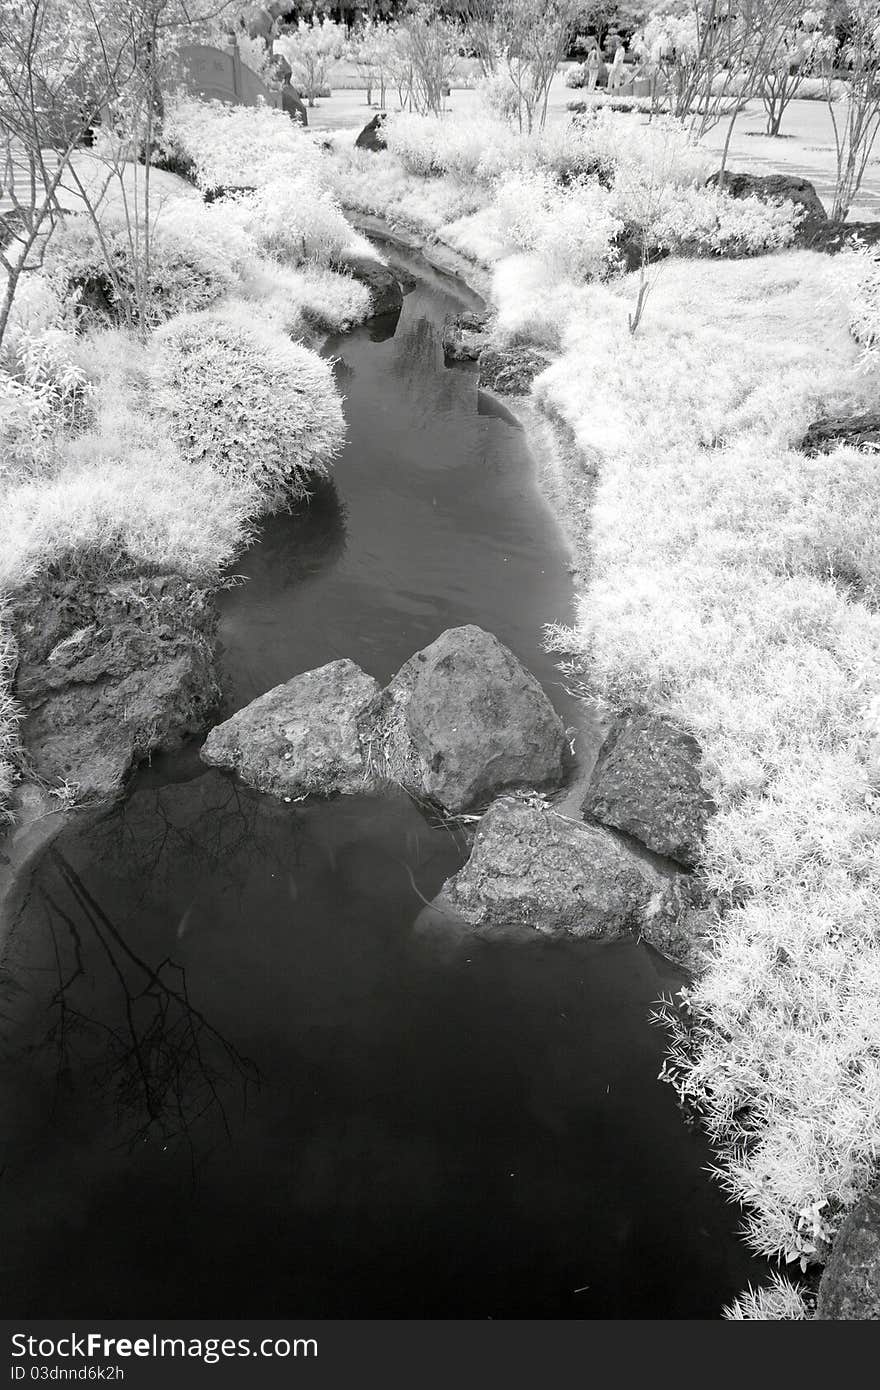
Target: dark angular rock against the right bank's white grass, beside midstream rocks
(647, 783)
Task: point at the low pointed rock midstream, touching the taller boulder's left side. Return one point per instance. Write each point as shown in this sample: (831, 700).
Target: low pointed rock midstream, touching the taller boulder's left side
(301, 737)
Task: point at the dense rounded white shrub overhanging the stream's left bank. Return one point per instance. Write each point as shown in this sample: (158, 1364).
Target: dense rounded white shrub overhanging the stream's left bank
(248, 401)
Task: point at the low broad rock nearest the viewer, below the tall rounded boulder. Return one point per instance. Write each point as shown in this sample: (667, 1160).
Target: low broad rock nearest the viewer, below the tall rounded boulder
(533, 868)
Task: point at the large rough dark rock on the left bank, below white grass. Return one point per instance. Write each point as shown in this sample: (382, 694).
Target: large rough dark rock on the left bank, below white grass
(111, 672)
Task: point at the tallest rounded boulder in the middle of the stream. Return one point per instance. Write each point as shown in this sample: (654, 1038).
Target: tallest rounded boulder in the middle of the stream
(464, 721)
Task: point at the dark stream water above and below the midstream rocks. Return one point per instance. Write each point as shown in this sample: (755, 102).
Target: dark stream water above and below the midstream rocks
(238, 1081)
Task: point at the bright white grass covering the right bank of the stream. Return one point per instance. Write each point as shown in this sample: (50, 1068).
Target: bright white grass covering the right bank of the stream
(732, 584)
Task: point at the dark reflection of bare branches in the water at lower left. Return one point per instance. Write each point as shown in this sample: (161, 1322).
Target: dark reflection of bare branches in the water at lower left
(166, 1065)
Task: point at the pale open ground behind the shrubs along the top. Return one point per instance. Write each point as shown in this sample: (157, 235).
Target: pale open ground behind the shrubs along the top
(806, 148)
